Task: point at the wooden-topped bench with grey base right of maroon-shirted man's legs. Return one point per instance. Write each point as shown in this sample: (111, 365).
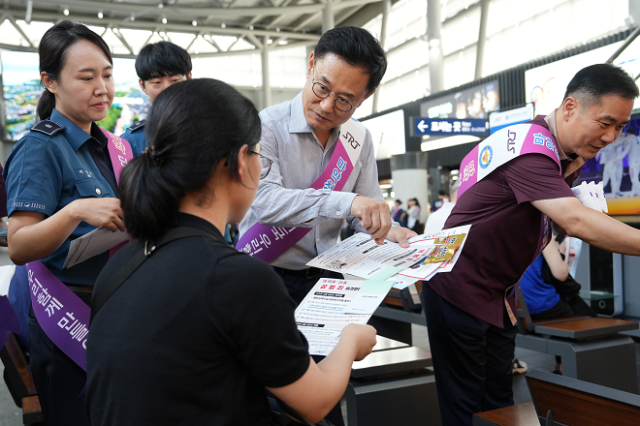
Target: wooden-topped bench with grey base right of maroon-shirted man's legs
(591, 348)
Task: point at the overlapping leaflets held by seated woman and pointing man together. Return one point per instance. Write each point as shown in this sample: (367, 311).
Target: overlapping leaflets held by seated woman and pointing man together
(333, 303)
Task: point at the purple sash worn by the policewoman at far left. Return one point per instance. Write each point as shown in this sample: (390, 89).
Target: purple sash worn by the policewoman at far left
(63, 316)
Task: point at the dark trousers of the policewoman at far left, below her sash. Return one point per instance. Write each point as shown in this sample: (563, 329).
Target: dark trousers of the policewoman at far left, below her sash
(59, 381)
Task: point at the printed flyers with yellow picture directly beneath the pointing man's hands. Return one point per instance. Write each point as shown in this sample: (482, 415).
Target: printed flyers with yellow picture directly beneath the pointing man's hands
(359, 255)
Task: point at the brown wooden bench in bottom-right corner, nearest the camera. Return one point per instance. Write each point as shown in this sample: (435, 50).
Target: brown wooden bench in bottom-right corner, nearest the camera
(559, 400)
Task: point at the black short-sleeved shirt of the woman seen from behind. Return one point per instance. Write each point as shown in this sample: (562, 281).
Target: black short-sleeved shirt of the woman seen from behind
(192, 337)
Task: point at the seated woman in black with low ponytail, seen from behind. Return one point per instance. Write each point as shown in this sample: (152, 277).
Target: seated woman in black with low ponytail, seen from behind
(198, 330)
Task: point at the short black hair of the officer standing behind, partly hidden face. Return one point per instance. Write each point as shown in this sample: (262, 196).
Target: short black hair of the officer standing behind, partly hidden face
(162, 59)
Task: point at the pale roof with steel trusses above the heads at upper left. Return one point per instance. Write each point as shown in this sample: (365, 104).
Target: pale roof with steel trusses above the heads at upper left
(204, 27)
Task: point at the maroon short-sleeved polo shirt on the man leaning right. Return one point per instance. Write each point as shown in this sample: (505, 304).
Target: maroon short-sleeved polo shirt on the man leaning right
(504, 236)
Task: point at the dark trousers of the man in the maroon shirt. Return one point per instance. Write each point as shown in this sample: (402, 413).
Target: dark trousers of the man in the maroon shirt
(472, 360)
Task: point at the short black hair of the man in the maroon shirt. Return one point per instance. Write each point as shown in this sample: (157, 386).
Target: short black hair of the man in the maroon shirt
(595, 81)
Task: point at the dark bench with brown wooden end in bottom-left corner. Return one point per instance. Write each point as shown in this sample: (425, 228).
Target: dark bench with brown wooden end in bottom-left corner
(19, 380)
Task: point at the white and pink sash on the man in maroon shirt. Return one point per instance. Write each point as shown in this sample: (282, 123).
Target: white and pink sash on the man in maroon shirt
(502, 147)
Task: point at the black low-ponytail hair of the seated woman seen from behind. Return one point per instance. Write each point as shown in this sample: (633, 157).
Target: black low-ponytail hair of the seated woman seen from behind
(191, 127)
